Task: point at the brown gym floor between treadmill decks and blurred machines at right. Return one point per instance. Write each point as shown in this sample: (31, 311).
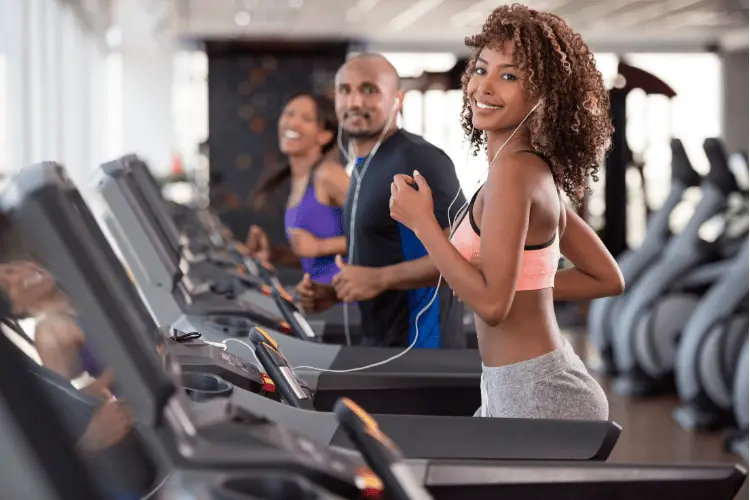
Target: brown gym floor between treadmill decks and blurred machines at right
(649, 433)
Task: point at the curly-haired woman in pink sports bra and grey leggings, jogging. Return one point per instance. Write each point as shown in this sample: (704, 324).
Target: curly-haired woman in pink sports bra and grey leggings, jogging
(534, 98)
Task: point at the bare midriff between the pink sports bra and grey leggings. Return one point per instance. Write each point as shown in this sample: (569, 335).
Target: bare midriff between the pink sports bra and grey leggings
(530, 330)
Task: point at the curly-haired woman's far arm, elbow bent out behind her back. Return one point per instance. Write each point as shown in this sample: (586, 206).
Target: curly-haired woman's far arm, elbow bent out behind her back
(595, 273)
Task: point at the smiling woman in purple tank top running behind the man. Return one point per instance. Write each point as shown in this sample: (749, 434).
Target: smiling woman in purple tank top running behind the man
(313, 219)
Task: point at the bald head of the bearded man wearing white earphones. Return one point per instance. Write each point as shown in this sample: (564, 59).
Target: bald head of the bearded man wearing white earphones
(367, 89)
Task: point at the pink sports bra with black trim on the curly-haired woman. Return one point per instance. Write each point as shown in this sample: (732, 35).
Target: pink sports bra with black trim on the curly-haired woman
(538, 262)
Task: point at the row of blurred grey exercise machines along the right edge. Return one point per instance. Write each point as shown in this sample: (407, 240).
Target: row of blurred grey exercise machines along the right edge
(682, 324)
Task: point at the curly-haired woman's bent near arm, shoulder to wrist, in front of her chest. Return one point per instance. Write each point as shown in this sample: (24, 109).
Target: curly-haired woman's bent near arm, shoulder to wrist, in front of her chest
(488, 291)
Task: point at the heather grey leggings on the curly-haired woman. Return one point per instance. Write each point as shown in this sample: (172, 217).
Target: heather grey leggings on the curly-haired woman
(556, 385)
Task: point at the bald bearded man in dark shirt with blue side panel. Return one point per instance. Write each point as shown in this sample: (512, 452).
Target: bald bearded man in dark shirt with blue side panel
(390, 276)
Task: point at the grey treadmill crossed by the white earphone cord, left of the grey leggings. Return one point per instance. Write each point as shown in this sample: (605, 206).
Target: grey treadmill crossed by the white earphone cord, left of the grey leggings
(414, 383)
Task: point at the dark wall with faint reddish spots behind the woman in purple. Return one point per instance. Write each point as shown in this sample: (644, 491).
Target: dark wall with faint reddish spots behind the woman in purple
(248, 86)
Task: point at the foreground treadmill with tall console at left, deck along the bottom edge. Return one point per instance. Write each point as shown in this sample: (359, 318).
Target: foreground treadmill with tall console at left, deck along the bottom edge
(235, 452)
